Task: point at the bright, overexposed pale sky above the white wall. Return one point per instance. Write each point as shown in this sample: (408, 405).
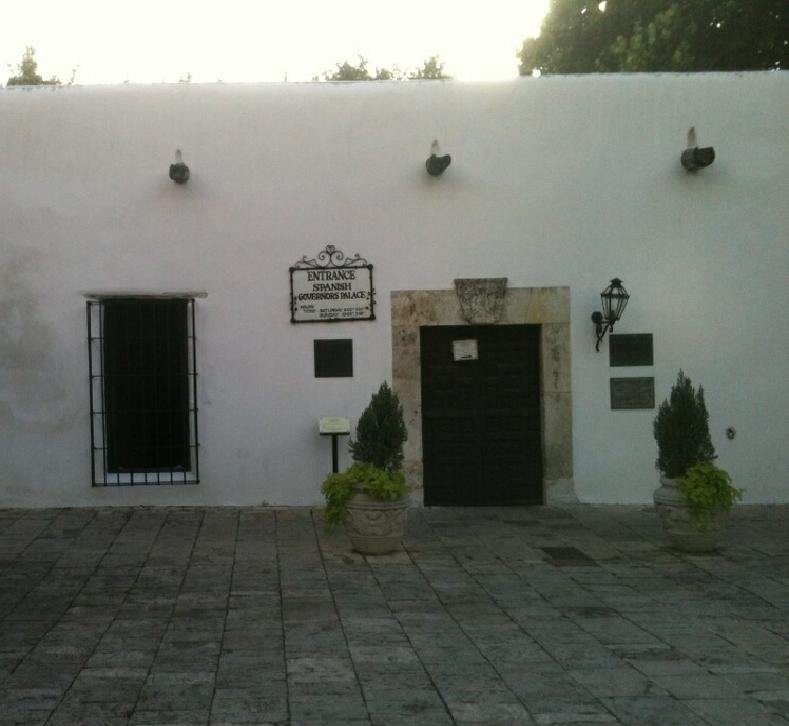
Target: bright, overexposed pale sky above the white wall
(153, 41)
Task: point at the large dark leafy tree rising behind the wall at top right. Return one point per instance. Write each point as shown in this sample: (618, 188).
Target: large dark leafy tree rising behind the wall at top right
(578, 36)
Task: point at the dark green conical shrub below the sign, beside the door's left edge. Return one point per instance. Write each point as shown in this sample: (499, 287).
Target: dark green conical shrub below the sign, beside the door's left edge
(381, 432)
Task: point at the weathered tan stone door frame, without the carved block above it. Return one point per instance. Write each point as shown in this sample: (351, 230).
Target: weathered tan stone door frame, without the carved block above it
(548, 307)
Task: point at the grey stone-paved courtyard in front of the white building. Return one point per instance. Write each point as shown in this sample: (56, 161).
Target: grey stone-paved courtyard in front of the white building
(487, 616)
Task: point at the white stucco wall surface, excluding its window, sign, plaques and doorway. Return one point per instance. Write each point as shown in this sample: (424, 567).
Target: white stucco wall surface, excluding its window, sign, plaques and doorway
(563, 181)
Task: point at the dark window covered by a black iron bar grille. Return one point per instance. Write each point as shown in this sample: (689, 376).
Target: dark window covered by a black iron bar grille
(143, 391)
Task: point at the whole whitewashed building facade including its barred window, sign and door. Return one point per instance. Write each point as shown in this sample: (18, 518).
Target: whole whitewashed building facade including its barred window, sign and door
(557, 184)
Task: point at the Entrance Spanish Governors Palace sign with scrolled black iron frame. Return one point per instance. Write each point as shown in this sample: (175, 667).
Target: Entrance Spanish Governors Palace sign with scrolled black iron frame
(331, 287)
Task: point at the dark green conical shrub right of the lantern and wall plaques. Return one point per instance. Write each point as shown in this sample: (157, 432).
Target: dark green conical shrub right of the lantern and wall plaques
(681, 430)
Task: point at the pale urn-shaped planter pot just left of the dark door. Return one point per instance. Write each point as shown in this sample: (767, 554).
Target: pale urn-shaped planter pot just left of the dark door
(375, 526)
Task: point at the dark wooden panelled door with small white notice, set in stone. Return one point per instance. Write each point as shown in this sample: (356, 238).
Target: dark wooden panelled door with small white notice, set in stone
(481, 435)
